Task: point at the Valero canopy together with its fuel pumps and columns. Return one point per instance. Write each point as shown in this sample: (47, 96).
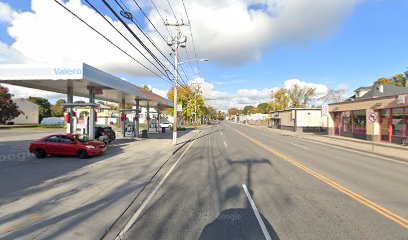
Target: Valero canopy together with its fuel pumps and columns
(83, 80)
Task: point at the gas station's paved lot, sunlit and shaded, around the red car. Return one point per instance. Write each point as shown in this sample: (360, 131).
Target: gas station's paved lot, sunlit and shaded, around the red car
(68, 197)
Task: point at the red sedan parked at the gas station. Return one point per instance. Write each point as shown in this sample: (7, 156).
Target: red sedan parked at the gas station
(67, 145)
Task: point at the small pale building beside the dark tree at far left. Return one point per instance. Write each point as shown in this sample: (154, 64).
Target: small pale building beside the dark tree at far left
(29, 115)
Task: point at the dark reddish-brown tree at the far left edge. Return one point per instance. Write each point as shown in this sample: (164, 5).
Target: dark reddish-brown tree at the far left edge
(8, 108)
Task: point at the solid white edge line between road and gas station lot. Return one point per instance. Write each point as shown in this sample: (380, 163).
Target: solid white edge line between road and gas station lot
(139, 211)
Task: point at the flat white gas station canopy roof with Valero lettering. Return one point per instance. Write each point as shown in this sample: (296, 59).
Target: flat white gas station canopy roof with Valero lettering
(80, 77)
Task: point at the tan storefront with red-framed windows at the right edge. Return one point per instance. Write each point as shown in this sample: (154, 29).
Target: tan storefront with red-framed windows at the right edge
(350, 118)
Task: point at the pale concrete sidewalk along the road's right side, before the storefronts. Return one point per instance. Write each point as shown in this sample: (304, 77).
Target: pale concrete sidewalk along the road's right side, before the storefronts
(381, 149)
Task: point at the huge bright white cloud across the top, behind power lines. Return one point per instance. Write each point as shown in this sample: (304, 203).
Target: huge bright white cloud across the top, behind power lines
(228, 32)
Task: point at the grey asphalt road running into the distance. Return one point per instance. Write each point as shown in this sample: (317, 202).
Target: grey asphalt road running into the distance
(301, 190)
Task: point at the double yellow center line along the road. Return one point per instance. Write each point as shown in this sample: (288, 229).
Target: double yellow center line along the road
(379, 209)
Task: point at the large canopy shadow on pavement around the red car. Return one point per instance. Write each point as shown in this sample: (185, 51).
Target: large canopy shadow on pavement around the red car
(23, 174)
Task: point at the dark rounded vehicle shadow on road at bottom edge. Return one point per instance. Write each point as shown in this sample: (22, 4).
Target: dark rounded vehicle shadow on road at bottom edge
(236, 224)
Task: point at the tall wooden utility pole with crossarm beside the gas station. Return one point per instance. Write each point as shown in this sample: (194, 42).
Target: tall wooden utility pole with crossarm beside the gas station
(176, 42)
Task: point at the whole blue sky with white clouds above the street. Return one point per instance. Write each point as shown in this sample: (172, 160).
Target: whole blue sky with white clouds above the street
(253, 46)
